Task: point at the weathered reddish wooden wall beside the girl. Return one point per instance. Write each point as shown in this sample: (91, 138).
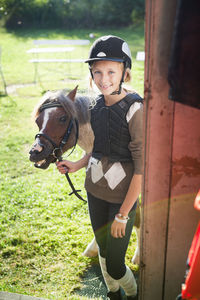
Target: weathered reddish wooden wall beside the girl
(171, 169)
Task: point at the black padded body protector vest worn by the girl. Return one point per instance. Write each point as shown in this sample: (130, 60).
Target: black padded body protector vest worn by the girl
(111, 130)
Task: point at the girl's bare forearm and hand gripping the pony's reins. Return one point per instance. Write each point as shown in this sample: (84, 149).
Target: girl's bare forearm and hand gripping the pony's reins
(70, 166)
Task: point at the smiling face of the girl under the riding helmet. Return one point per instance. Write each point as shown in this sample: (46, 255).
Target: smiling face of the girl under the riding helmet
(107, 75)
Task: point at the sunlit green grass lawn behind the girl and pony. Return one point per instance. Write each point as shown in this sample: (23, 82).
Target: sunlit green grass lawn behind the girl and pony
(43, 231)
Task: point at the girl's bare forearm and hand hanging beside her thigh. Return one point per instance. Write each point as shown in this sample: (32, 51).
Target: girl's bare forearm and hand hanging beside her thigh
(117, 228)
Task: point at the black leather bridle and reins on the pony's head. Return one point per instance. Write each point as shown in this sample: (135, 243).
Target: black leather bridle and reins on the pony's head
(58, 149)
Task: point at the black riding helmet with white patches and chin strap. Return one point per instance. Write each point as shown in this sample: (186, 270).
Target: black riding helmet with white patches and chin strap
(111, 48)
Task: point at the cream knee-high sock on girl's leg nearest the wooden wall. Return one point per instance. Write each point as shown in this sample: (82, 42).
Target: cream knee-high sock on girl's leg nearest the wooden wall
(128, 283)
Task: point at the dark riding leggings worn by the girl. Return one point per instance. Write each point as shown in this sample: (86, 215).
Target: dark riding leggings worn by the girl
(102, 214)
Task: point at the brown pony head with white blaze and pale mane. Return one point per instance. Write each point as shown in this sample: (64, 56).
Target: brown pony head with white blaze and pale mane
(54, 114)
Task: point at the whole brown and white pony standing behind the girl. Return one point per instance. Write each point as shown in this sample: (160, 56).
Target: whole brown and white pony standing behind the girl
(63, 121)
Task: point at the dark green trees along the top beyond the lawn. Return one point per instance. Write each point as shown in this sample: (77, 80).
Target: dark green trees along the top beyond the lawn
(71, 13)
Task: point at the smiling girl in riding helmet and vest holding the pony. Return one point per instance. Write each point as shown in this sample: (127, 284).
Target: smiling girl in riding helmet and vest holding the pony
(114, 168)
